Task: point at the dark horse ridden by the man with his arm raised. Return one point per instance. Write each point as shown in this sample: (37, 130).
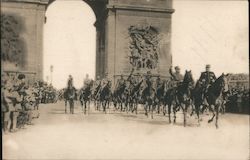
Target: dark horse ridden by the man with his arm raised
(183, 94)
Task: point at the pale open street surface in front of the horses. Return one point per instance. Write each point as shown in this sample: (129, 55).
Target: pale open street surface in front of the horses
(116, 135)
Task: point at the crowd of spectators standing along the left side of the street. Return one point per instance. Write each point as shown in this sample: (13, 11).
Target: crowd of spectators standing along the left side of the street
(20, 100)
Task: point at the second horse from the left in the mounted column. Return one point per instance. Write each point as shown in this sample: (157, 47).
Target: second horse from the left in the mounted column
(85, 96)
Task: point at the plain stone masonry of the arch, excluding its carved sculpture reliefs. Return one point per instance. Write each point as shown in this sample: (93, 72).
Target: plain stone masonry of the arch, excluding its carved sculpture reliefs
(113, 19)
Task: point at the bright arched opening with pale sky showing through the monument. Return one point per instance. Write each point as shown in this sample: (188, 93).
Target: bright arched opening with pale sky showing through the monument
(69, 43)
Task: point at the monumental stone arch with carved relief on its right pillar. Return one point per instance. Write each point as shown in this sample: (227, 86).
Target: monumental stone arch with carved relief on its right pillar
(130, 34)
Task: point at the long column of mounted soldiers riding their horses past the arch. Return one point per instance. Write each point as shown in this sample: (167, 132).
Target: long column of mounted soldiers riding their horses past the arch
(153, 93)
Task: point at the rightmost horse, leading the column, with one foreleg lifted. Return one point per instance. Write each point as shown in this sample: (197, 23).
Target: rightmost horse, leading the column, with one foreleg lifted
(214, 96)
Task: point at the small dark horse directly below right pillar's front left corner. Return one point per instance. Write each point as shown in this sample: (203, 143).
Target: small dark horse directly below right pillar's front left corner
(105, 96)
